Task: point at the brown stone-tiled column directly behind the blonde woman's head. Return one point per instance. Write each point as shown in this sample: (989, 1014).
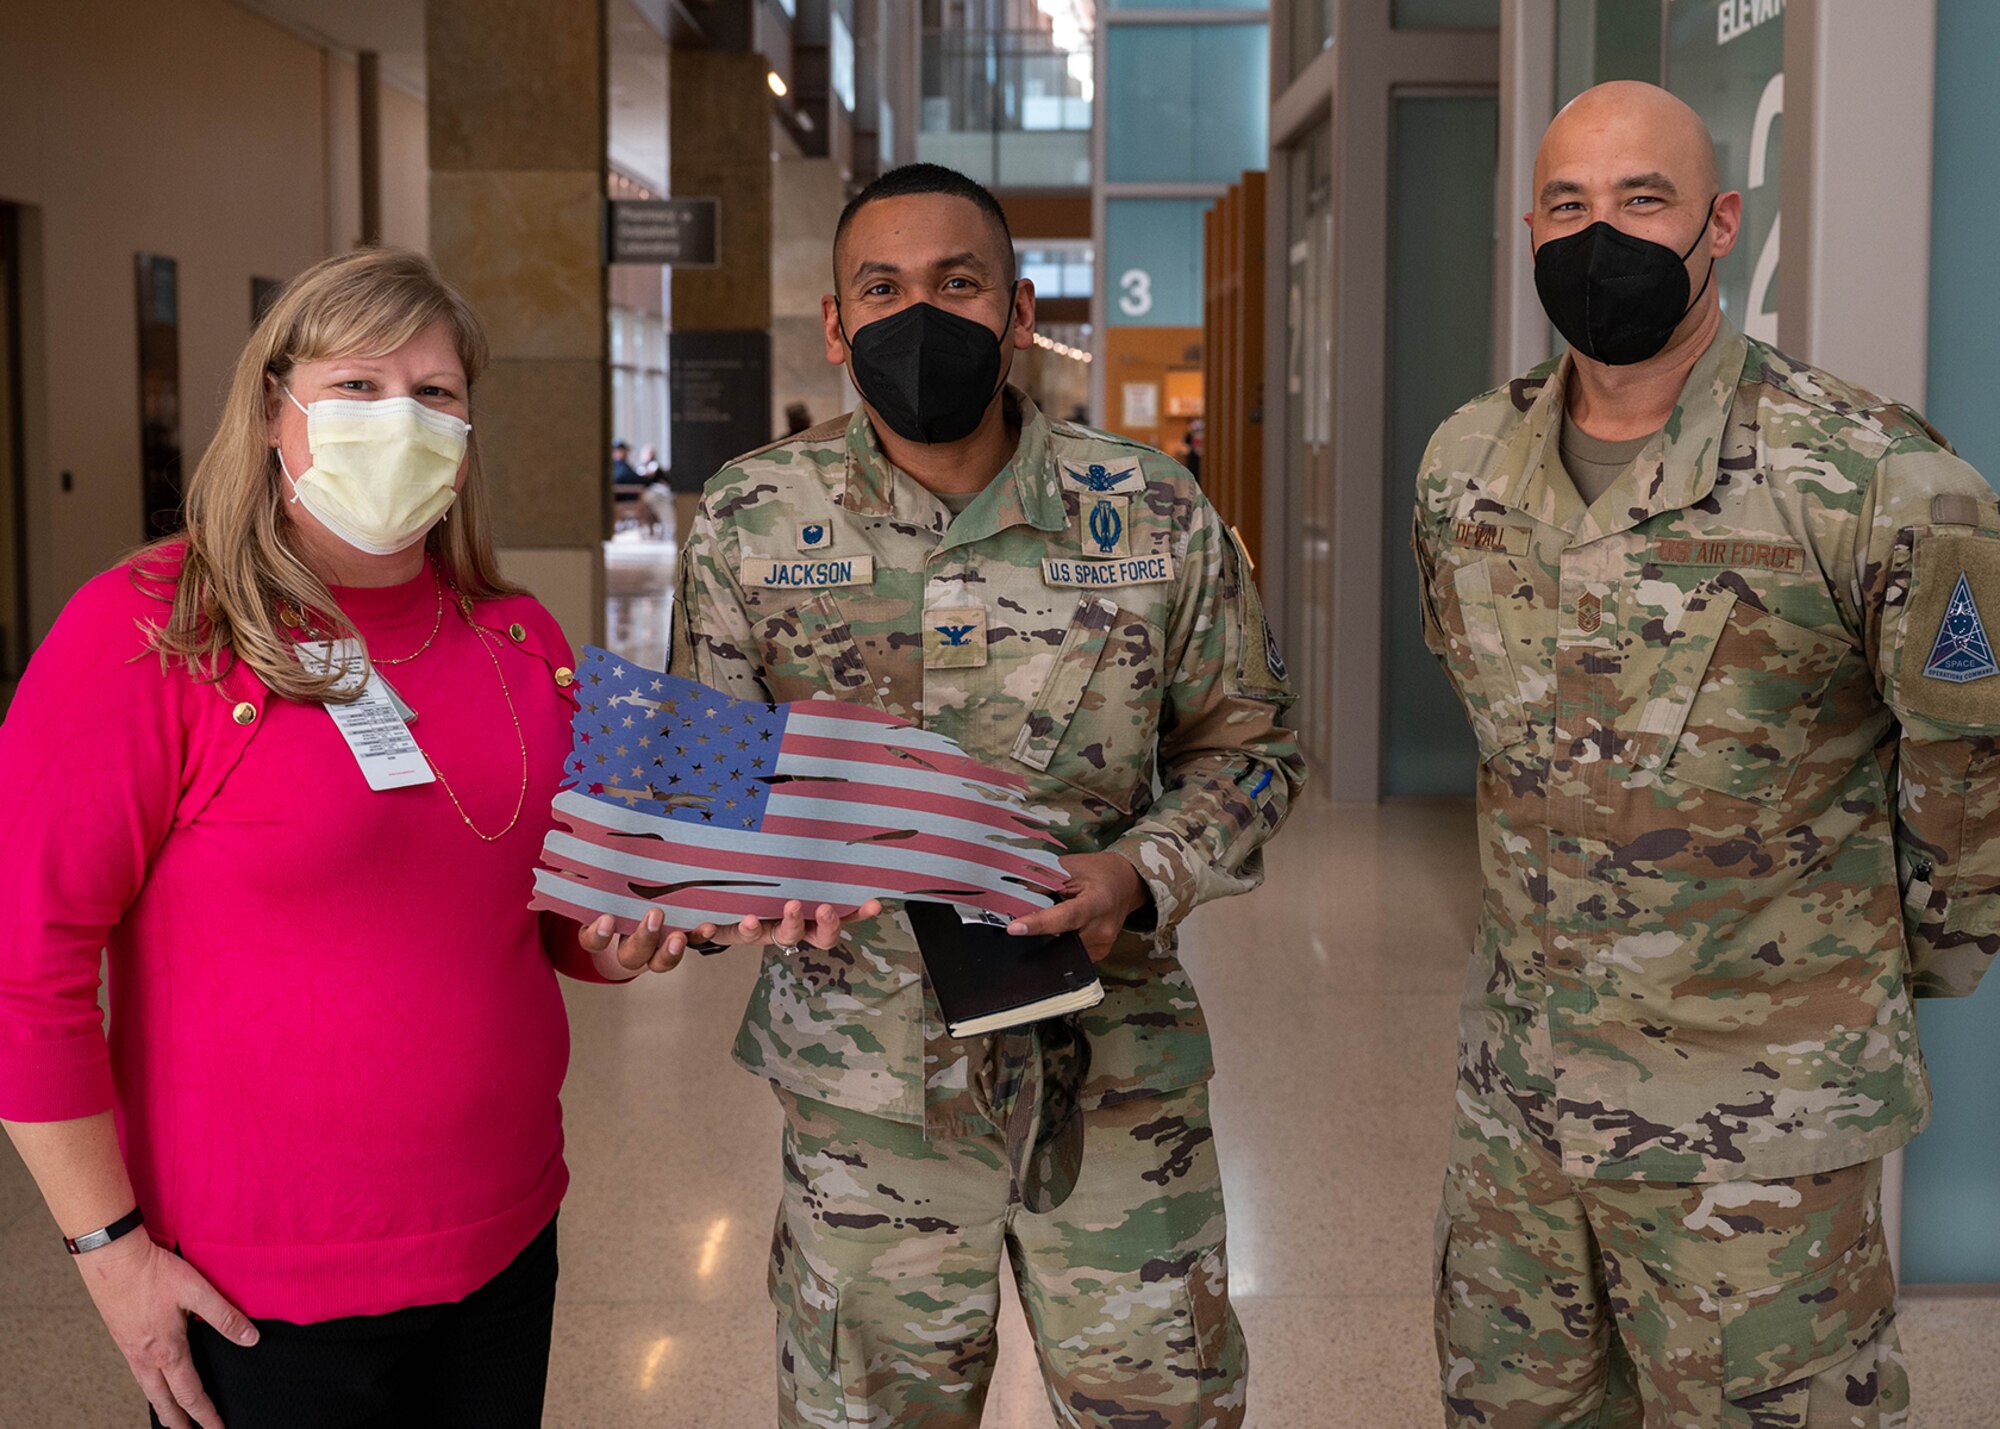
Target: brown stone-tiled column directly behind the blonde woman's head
(517, 199)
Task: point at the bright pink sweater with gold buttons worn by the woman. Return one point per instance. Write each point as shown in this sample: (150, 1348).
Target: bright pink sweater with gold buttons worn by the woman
(337, 1042)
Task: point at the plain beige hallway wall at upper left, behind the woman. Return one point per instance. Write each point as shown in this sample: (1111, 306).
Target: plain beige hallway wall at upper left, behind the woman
(189, 129)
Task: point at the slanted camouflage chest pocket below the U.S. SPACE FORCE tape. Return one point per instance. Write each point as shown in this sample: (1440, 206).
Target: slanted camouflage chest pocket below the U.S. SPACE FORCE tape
(1097, 716)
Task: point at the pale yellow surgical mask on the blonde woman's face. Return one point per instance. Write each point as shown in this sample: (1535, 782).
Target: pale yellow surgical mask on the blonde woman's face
(381, 471)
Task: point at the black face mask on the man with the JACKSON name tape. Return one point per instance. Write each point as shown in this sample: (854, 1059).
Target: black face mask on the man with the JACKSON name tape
(929, 373)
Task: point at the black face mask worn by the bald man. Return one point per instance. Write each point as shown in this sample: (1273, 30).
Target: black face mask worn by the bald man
(1615, 297)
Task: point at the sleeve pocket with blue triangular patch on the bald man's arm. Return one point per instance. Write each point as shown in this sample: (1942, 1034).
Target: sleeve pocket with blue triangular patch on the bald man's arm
(1945, 667)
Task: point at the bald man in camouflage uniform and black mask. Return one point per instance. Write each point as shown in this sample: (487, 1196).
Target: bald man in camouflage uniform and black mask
(1717, 621)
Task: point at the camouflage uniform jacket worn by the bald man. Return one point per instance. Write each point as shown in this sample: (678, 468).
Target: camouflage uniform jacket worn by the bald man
(1739, 798)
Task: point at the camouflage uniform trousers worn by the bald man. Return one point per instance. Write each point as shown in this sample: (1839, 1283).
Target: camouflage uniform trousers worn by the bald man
(1647, 1304)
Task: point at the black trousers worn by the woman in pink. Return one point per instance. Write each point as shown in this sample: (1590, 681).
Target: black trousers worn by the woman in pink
(479, 1364)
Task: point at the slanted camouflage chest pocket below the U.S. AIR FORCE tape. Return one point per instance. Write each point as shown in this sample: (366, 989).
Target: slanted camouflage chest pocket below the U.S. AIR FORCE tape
(1755, 705)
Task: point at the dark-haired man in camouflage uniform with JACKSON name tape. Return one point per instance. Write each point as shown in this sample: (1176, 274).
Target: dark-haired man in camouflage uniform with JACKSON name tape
(1067, 605)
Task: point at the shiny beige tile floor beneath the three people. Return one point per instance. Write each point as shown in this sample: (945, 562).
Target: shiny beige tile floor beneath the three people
(1333, 1000)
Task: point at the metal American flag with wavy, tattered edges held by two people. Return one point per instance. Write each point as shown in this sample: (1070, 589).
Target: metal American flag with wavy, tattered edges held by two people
(709, 808)
